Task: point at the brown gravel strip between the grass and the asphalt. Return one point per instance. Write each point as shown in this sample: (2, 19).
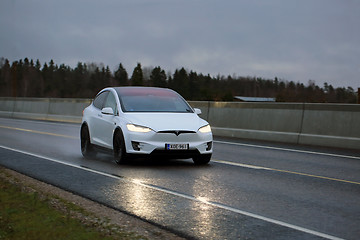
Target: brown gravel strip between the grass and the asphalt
(100, 215)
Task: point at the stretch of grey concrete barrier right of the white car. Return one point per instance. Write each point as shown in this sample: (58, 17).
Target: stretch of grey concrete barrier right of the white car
(330, 125)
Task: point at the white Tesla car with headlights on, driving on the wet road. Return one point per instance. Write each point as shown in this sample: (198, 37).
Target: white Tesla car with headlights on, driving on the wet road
(145, 121)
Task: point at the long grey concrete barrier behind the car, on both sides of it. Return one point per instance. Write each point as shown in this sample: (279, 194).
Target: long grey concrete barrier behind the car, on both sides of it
(331, 125)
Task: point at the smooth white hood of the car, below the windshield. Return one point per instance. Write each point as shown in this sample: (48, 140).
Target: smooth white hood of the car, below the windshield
(167, 121)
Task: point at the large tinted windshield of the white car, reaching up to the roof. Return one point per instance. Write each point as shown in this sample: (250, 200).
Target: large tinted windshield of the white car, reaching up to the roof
(135, 99)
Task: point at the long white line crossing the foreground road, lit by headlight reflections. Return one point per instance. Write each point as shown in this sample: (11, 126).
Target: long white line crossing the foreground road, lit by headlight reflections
(182, 195)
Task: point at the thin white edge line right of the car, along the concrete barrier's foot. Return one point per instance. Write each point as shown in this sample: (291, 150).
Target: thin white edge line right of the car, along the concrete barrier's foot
(288, 150)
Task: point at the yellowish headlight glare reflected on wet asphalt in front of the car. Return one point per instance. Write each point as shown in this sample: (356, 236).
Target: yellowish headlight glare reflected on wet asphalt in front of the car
(138, 197)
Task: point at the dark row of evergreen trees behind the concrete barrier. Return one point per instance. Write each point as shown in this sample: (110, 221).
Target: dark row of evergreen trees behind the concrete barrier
(29, 78)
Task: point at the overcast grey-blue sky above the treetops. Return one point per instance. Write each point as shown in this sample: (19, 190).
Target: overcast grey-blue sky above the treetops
(295, 40)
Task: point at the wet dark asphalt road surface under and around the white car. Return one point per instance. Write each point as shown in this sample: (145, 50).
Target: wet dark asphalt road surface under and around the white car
(250, 190)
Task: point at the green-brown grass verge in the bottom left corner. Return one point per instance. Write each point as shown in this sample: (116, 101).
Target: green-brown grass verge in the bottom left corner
(28, 214)
